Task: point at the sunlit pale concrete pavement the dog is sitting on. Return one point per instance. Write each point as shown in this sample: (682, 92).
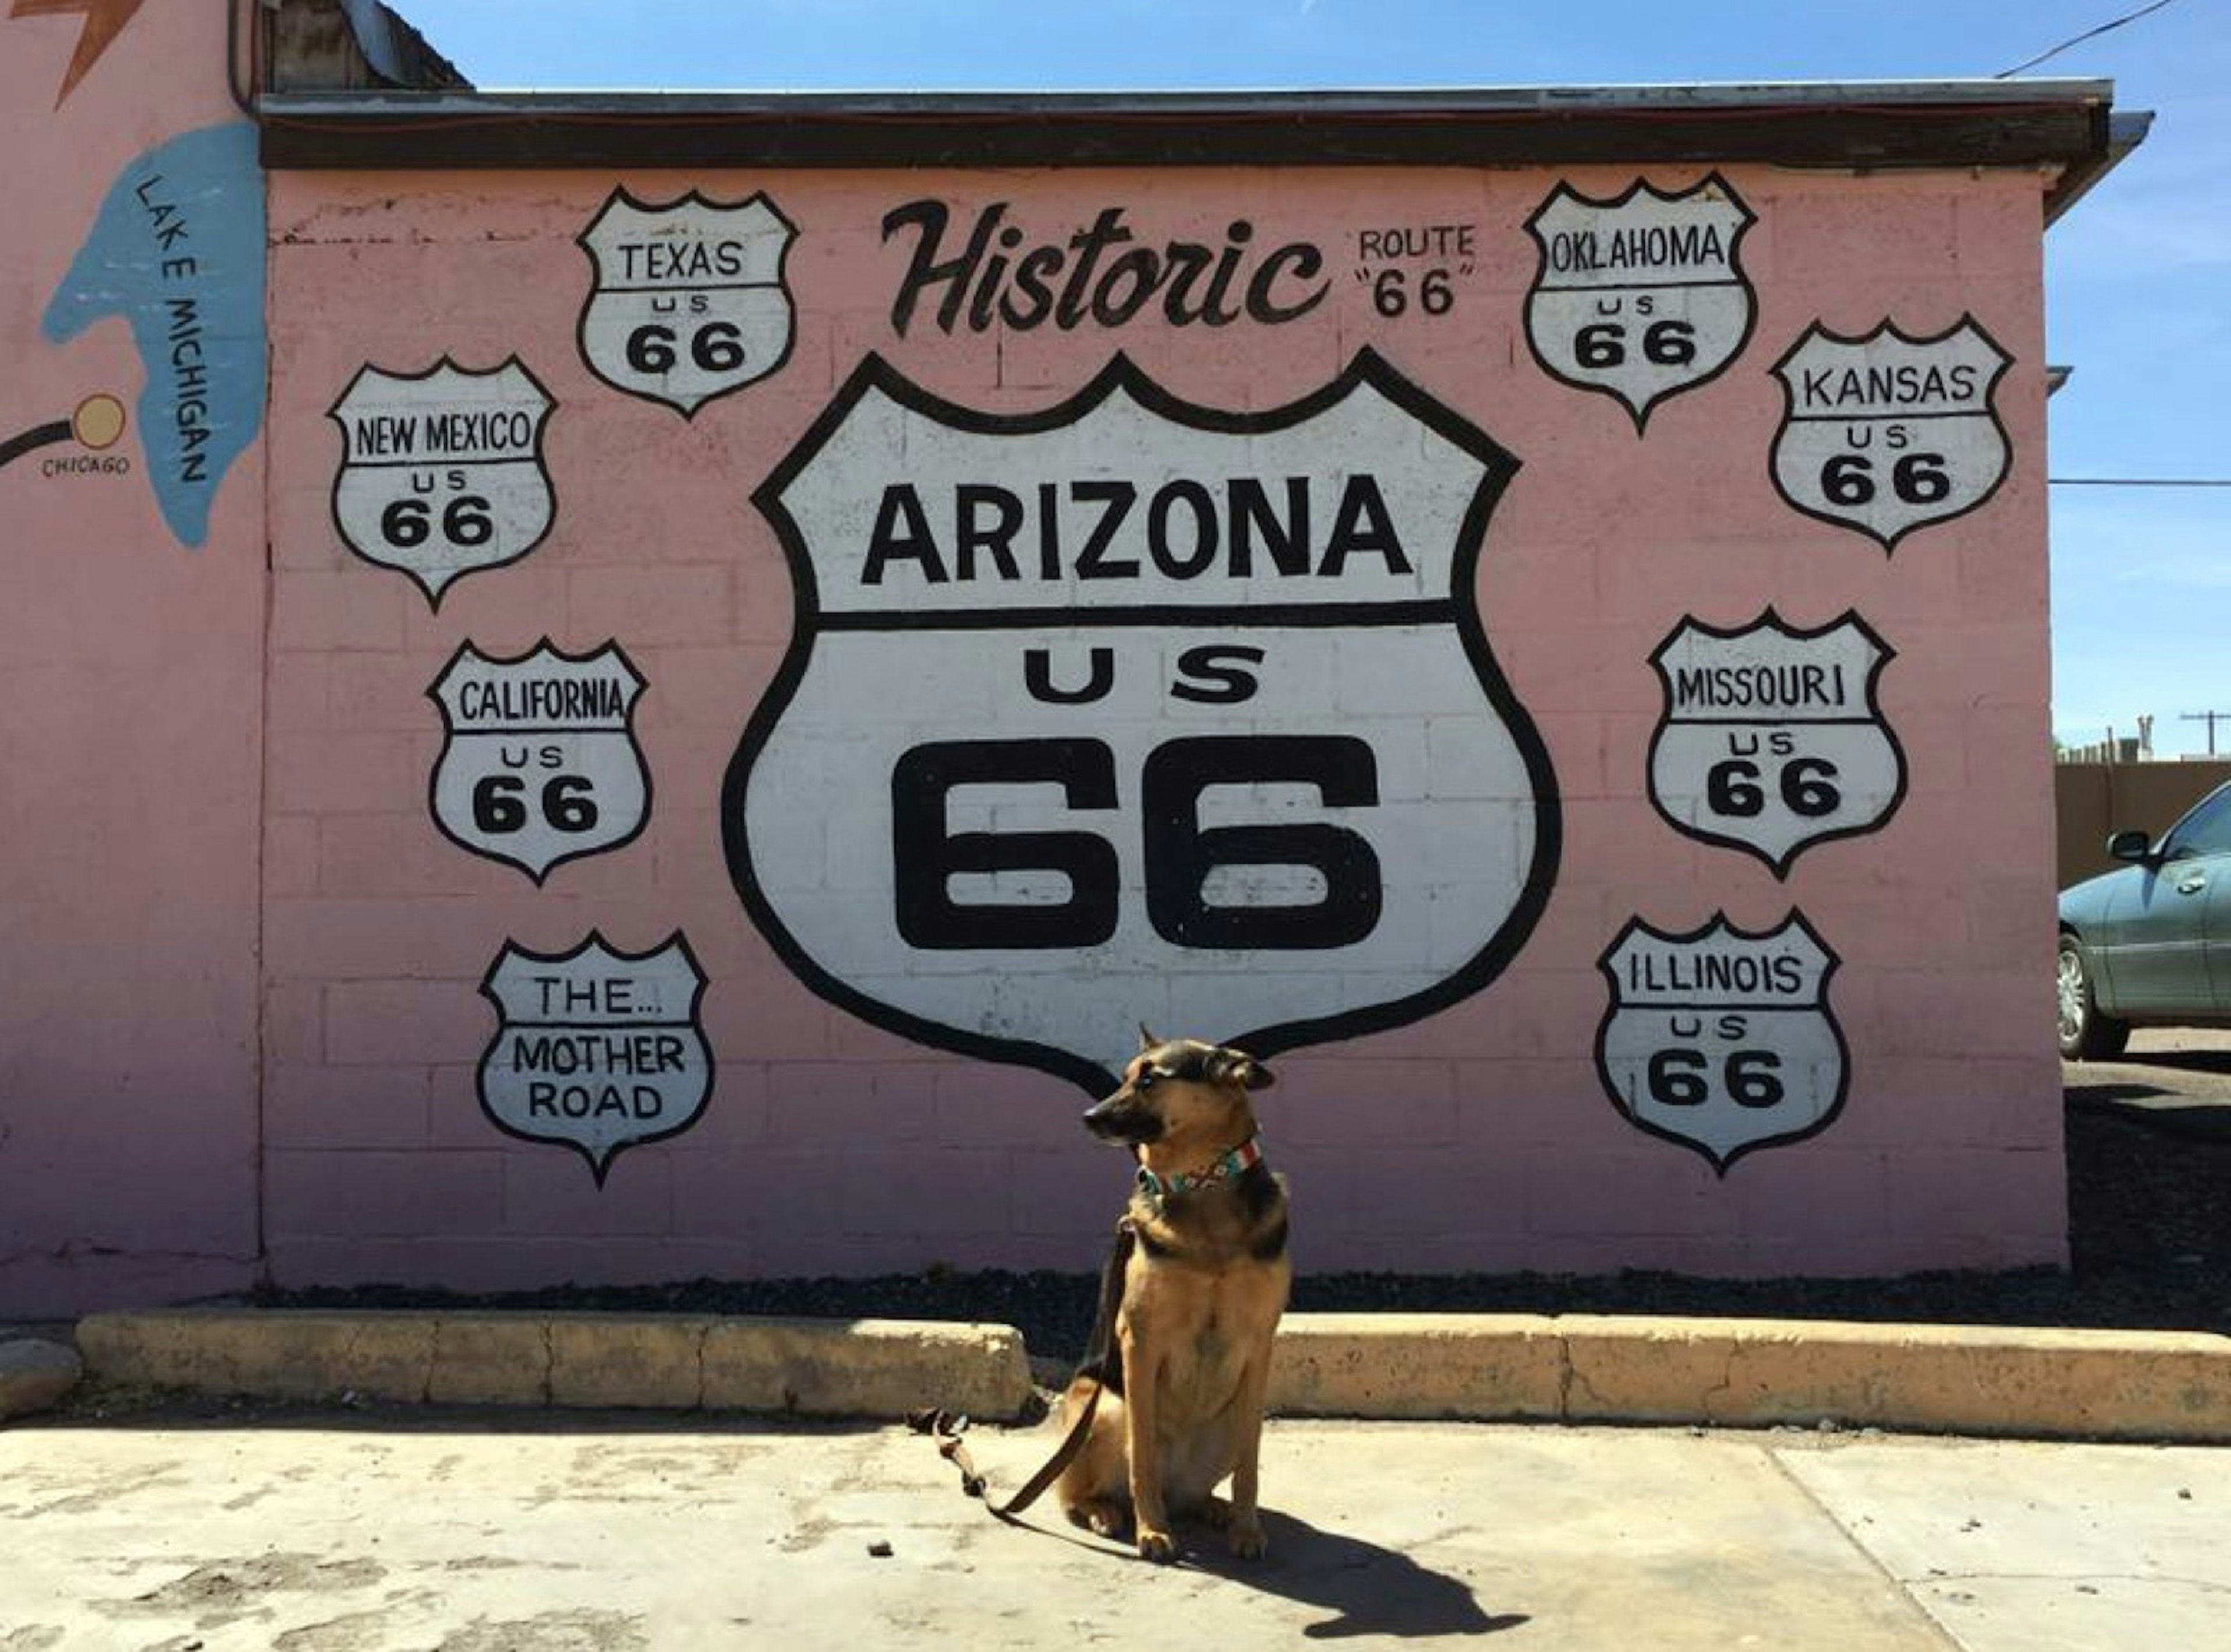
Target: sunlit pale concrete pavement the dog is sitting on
(441, 1530)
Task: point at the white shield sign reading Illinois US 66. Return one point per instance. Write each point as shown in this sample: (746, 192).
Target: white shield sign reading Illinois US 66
(1723, 1040)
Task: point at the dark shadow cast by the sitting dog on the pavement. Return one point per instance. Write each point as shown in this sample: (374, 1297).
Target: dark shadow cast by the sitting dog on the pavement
(1369, 1591)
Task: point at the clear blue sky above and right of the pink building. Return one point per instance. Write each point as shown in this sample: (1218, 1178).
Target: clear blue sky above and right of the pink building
(2138, 275)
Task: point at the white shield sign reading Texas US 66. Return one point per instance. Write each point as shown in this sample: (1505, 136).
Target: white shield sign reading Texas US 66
(690, 300)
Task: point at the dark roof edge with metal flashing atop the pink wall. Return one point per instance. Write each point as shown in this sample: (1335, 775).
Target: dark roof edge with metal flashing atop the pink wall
(2065, 128)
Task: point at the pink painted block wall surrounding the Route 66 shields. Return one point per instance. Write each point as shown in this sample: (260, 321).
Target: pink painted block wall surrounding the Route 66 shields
(1476, 1138)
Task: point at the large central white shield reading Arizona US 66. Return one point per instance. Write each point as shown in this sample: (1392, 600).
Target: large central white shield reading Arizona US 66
(1134, 710)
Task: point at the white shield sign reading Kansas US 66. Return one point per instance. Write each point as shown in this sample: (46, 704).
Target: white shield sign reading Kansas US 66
(1889, 434)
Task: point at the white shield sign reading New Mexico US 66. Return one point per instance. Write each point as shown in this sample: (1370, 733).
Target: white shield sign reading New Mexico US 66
(443, 469)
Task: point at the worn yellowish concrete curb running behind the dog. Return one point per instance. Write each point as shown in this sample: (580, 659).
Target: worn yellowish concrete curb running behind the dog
(2121, 1386)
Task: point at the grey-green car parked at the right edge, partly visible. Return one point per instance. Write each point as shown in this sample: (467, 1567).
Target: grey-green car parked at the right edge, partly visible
(2150, 944)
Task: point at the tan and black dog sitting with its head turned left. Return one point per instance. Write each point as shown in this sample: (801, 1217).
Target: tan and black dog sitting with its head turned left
(1195, 1292)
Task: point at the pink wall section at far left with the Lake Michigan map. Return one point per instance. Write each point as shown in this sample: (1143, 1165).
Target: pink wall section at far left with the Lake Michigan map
(131, 726)
